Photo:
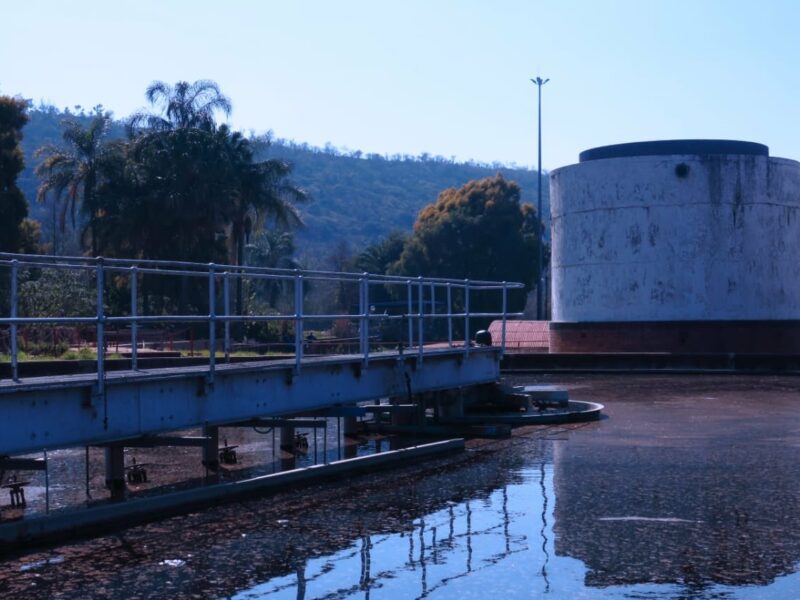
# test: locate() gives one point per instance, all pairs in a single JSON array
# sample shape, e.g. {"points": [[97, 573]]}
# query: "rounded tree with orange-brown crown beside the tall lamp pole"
{"points": [[479, 231]]}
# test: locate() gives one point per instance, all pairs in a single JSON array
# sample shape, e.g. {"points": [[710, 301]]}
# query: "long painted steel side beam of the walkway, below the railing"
{"points": [[60, 411]]}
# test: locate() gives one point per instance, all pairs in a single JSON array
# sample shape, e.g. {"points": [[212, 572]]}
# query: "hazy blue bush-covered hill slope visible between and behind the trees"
{"points": [[357, 198]]}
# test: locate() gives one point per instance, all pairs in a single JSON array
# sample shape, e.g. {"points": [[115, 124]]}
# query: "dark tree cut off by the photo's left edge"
{"points": [[13, 206]]}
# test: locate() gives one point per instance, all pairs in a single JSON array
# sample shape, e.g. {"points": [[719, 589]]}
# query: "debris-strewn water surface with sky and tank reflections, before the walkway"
{"points": [[690, 489]]}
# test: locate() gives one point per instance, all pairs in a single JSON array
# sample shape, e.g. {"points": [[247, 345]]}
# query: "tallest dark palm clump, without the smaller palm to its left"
{"points": [[191, 189]]}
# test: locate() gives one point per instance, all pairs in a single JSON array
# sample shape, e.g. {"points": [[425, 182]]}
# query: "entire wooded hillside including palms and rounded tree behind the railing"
{"points": [[174, 183]]}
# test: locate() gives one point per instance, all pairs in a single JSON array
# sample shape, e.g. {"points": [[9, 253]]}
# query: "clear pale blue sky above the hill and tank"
{"points": [[444, 77]]}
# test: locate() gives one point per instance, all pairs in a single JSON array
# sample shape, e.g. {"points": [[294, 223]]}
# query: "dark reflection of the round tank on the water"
{"points": [[668, 504]]}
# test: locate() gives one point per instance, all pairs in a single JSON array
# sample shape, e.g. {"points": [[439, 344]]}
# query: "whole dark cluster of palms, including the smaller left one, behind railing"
{"points": [[179, 187]]}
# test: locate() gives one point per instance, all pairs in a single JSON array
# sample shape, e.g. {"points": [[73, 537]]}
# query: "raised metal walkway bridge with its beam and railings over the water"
{"points": [[111, 406]]}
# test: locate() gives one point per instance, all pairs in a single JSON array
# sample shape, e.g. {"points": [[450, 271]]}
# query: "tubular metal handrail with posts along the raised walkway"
{"points": [[416, 290]]}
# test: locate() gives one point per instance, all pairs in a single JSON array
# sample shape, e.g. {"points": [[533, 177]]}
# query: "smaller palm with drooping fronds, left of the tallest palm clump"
{"points": [[71, 172]]}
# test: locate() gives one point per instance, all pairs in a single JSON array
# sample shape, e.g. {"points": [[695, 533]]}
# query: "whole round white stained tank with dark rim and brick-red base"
{"points": [[680, 245]]}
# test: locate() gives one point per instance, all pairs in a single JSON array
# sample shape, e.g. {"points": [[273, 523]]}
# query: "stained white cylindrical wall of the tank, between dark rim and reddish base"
{"points": [[676, 238]]}
